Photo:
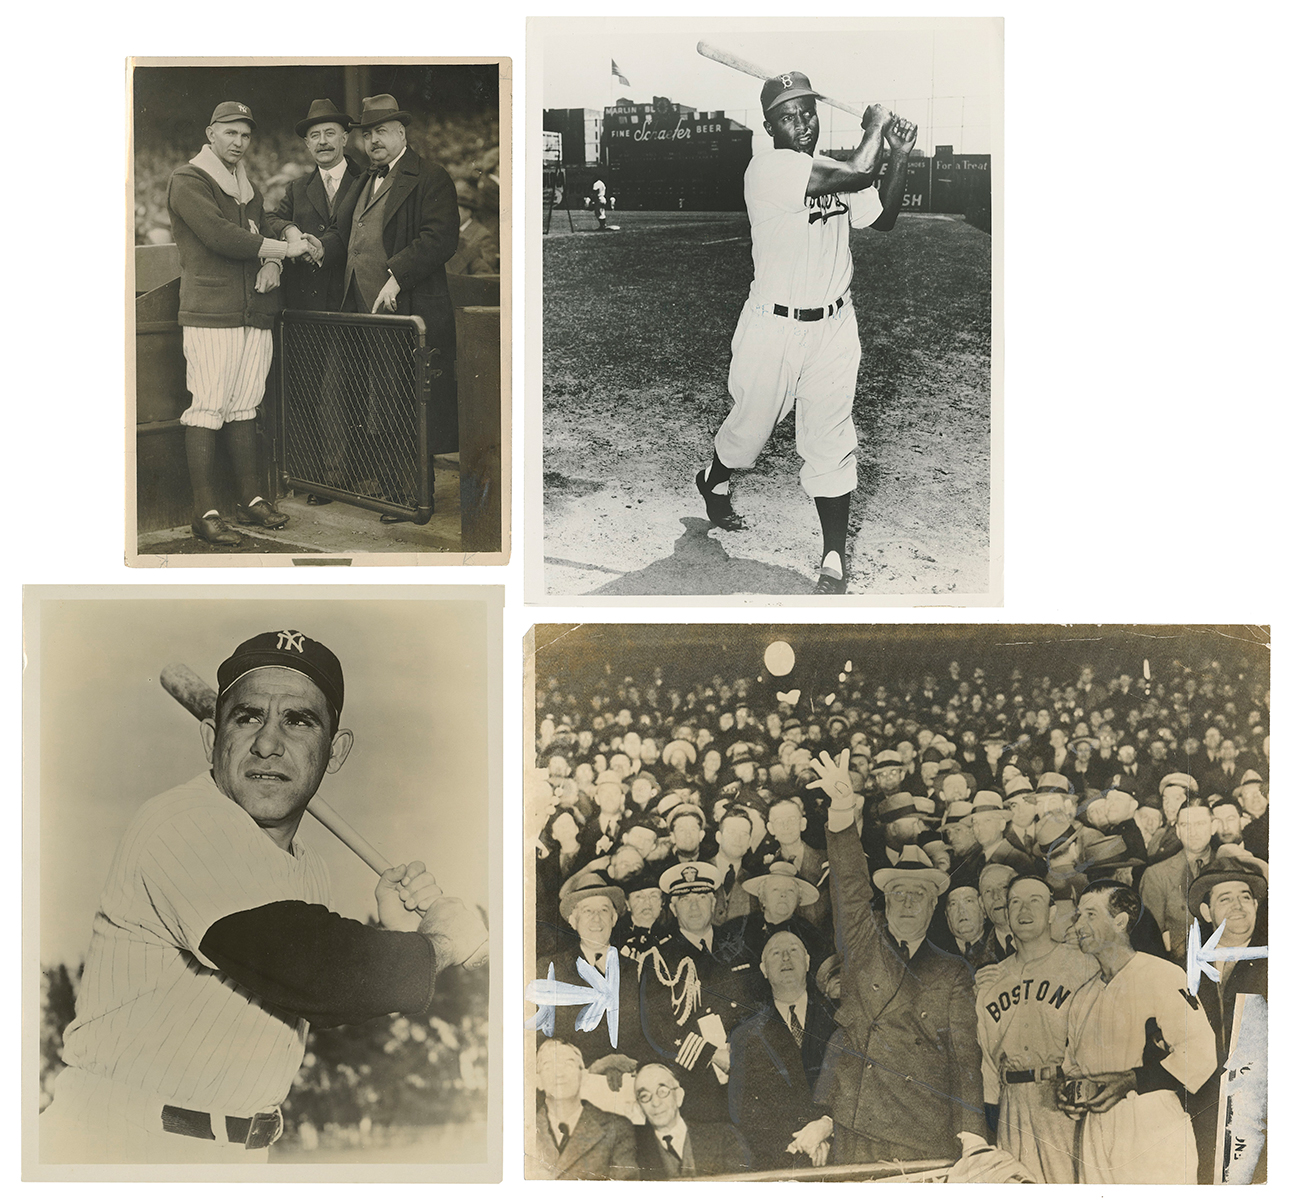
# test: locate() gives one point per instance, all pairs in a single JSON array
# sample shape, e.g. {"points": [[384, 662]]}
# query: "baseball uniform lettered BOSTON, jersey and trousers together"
{"points": [[1023, 1026]]}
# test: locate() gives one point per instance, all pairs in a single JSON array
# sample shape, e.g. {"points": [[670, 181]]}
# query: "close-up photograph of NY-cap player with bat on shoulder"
{"points": [[266, 880]]}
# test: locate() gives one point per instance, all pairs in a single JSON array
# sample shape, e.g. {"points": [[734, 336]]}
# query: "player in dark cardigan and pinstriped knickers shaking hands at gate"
{"points": [[228, 302]]}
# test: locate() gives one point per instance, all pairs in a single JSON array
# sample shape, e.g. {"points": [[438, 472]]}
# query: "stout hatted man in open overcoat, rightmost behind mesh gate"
{"points": [[400, 228]]}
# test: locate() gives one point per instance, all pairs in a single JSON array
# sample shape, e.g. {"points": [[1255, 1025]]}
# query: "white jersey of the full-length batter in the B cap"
{"points": [[803, 256]]}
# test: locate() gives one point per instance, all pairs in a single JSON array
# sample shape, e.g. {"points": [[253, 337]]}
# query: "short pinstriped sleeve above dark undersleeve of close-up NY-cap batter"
{"points": [[205, 864]]}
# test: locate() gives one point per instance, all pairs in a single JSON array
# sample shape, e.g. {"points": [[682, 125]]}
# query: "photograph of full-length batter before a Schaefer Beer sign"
{"points": [[732, 395]]}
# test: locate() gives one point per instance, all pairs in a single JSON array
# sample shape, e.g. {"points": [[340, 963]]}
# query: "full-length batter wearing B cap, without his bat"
{"points": [[797, 342]]}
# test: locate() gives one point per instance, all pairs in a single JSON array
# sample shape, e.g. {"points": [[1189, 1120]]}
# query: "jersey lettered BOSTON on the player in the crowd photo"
{"points": [[1023, 1016]]}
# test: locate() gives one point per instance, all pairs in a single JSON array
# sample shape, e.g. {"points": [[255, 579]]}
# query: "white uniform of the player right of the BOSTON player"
{"points": [[1143, 1139]]}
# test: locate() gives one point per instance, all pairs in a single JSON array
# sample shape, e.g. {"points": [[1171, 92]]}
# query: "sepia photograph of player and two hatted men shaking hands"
{"points": [[321, 274]]}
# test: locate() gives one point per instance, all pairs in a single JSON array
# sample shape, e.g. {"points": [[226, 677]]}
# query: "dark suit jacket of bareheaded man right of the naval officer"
{"points": [[773, 1082]]}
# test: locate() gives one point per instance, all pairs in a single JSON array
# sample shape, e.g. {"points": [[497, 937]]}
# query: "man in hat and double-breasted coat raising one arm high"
{"points": [[905, 1074]]}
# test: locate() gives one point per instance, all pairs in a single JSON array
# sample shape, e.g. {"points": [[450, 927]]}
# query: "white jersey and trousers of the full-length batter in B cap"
{"points": [[803, 263]]}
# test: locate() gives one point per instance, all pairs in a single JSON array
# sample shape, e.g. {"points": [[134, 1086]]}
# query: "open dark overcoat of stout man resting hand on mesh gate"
{"points": [[419, 236]]}
